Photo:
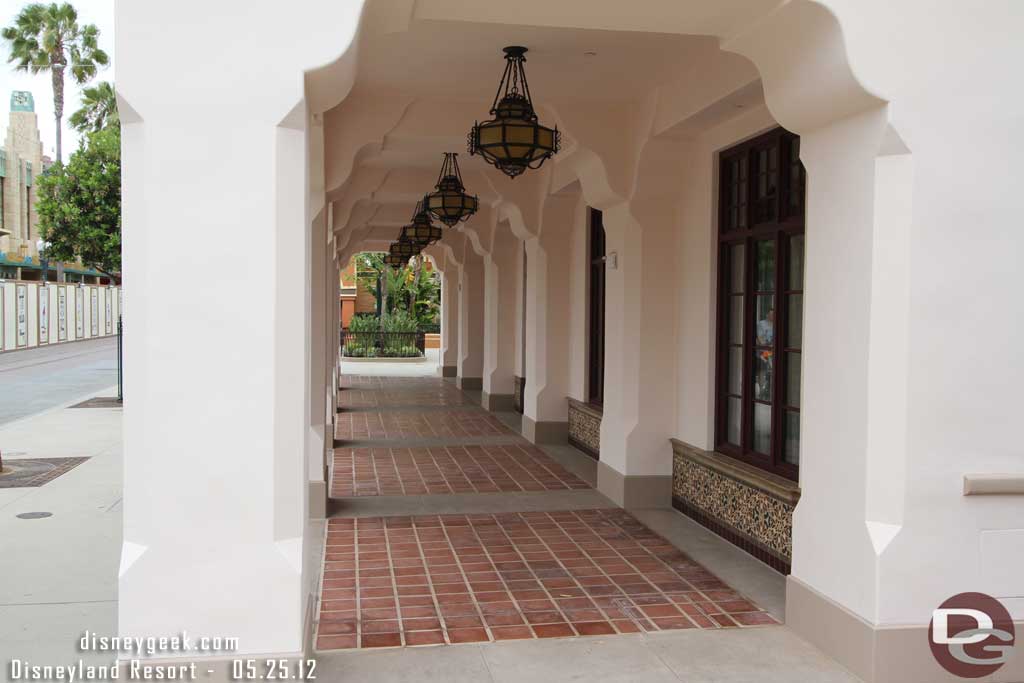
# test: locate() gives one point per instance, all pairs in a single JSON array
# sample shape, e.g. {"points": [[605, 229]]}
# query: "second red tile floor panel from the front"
{"points": [[453, 469]]}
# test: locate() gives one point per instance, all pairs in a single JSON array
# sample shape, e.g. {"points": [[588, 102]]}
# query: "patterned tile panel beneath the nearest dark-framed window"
{"points": [[749, 507]]}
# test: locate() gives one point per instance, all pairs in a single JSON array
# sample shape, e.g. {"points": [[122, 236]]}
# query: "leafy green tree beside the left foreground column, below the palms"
{"points": [[80, 204]]}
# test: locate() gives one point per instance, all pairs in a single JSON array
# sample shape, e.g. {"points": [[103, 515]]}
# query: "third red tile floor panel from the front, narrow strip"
{"points": [[414, 425]]}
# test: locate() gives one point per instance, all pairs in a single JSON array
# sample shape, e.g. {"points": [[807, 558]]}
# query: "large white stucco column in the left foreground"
{"points": [[217, 433]]}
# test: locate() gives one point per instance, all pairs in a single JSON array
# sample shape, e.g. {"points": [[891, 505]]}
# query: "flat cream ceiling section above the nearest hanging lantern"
{"points": [[464, 60]]}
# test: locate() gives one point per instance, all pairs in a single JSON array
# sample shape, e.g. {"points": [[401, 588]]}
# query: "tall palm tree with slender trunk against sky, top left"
{"points": [[49, 38]]}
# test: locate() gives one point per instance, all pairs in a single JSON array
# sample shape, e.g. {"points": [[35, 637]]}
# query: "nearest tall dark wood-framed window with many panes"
{"points": [[750, 214]]}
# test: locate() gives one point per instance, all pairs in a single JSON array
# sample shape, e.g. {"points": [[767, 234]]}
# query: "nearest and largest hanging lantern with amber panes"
{"points": [[514, 141]]}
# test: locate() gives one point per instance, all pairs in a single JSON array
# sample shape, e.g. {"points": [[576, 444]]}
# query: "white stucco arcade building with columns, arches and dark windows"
{"points": [[797, 322]]}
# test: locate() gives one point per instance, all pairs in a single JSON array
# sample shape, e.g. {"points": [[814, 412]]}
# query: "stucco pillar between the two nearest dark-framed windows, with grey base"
{"points": [[635, 469]]}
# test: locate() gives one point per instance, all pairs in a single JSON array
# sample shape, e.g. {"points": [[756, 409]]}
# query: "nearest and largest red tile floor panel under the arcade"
{"points": [[454, 579]]}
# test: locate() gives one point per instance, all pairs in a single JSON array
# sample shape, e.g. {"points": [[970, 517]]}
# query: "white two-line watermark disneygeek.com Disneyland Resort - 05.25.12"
{"points": [[144, 660]]}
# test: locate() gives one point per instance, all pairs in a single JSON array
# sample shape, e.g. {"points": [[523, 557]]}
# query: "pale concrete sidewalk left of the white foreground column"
{"points": [[59, 575]]}
